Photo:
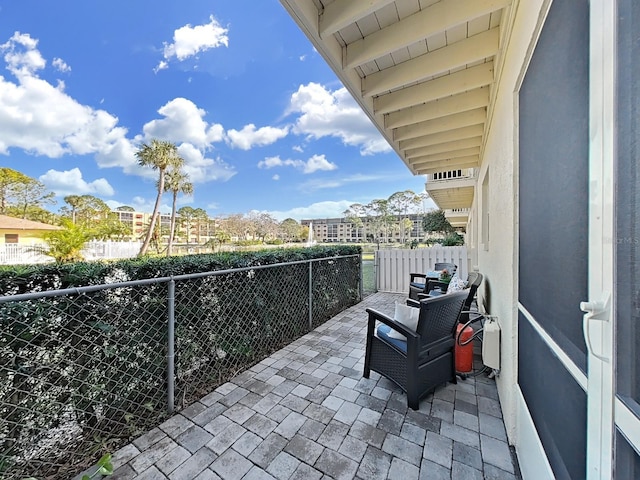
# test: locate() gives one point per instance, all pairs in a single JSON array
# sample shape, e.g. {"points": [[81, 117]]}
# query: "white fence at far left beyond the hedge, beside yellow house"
{"points": [[17, 253]]}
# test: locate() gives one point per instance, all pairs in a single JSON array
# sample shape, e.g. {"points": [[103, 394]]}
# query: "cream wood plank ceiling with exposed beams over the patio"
{"points": [[422, 70]]}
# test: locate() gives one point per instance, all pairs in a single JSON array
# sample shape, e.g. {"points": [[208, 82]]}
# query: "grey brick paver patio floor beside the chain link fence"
{"points": [[307, 413]]}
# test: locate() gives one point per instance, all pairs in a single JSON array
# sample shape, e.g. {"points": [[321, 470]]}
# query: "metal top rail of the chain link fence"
{"points": [[150, 281]]}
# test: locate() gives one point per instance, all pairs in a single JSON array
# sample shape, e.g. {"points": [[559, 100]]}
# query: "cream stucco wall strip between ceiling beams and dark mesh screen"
{"points": [[498, 259]]}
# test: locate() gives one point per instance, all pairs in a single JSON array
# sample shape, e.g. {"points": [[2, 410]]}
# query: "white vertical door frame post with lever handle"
{"points": [[598, 322]]}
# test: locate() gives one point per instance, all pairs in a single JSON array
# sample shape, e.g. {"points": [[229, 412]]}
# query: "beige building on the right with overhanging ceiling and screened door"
{"points": [[523, 115]]}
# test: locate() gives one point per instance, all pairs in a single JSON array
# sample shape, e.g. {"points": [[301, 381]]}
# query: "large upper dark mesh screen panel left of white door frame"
{"points": [[554, 173]]}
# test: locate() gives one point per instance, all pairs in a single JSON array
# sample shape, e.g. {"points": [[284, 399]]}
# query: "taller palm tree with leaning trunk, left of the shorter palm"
{"points": [[159, 155]]}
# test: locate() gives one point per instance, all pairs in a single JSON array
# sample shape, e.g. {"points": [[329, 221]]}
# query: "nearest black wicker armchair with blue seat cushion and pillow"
{"points": [[426, 359]]}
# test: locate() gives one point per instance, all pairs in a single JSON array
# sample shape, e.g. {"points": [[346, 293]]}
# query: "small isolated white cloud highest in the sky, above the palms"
{"points": [[189, 41]]}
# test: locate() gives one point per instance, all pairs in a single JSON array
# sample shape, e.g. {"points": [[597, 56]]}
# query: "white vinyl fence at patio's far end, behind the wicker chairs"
{"points": [[394, 266]]}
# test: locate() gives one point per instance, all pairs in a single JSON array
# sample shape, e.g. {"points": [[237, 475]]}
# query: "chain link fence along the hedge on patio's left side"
{"points": [[85, 370]]}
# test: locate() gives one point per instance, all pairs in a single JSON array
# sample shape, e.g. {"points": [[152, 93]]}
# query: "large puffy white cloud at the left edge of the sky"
{"points": [[42, 119]]}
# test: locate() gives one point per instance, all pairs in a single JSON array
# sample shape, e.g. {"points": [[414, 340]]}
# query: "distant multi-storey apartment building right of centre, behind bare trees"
{"points": [[343, 230]]}
